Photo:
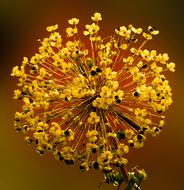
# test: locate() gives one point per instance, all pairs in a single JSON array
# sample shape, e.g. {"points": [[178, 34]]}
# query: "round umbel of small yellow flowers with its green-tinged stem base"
{"points": [[90, 102]]}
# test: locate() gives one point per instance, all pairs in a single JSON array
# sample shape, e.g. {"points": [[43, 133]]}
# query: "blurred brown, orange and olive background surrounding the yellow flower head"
{"points": [[22, 22]]}
